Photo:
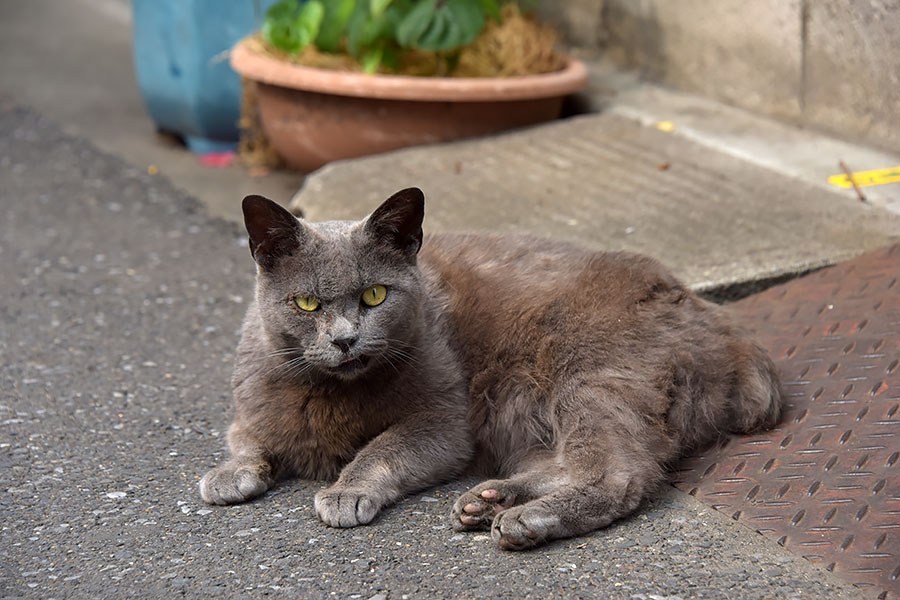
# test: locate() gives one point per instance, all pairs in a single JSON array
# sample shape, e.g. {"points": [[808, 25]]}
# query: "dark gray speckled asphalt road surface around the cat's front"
{"points": [[121, 307]]}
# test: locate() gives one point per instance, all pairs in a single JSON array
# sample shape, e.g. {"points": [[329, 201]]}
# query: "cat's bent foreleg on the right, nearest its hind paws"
{"points": [[408, 456]]}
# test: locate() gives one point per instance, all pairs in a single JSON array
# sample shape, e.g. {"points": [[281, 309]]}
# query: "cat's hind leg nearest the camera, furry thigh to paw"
{"points": [[606, 475]]}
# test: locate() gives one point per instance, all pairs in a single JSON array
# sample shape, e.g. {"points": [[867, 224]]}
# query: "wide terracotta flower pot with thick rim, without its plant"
{"points": [[314, 116]]}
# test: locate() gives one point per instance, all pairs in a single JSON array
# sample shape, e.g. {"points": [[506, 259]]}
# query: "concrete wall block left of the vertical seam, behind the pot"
{"points": [[744, 53]]}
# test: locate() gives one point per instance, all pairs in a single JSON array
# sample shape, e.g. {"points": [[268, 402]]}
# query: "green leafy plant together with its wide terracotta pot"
{"points": [[343, 78]]}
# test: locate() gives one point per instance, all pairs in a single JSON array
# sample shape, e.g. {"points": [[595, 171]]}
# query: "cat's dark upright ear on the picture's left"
{"points": [[273, 231]]}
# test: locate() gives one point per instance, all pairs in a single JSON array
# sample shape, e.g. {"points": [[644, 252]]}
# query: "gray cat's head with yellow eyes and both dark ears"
{"points": [[340, 298]]}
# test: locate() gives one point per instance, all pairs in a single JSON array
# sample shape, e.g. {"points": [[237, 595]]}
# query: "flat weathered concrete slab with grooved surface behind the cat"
{"points": [[614, 182]]}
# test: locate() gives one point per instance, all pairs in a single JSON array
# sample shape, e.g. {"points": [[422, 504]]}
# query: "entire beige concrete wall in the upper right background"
{"points": [[832, 65]]}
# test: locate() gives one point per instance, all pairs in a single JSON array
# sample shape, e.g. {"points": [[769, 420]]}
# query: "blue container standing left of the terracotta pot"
{"points": [[182, 67]]}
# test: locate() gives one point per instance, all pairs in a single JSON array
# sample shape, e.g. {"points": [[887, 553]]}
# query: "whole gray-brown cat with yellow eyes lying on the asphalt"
{"points": [[573, 377]]}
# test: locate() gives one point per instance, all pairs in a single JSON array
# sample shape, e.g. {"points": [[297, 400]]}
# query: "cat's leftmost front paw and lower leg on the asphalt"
{"points": [[246, 475]]}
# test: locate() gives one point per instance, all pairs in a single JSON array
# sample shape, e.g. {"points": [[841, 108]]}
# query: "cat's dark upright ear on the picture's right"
{"points": [[399, 220]]}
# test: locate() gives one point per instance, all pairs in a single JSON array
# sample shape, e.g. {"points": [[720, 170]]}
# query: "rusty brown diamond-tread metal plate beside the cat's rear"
{"points": [[825, 484]]}
